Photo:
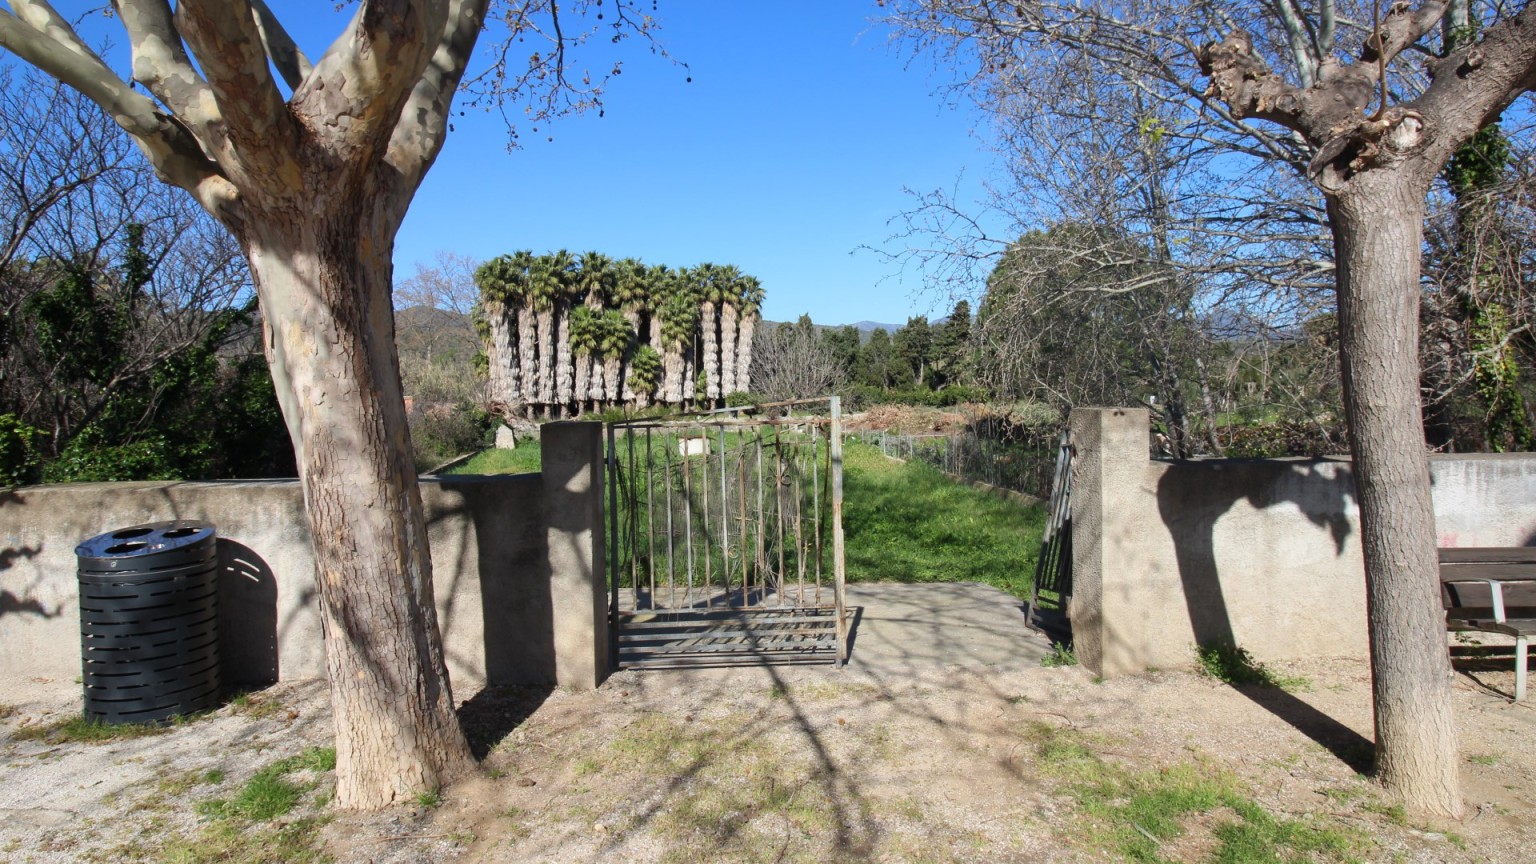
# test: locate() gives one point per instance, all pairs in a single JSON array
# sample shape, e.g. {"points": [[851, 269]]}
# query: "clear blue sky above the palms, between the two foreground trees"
{"points": [[786, 155]]}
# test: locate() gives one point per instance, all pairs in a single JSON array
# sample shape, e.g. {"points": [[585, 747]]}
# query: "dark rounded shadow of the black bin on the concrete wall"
{"points": [[248, 617]]}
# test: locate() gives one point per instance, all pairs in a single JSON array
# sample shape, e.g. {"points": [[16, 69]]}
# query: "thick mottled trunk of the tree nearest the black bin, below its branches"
{"points": [[325, 290]]}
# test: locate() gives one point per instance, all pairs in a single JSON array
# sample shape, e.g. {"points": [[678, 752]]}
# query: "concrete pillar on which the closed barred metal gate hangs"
{"points": [[574, 517]]}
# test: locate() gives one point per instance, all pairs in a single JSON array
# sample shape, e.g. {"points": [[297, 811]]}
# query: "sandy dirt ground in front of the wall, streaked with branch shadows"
{"points": [[936, 745]]}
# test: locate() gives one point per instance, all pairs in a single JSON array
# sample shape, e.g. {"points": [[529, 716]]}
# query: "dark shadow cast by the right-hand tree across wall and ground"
{"points": [[1193, 497]]}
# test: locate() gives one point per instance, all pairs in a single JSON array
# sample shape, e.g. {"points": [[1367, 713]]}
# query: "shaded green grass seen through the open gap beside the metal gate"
{"points": [[910, 523]]}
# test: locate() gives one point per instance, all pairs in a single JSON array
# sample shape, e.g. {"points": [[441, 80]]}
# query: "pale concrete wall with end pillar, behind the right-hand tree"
{"points": [[1262, 553]]}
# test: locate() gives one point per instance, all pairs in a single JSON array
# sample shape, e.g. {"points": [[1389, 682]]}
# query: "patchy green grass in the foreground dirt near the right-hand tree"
{"points": [[1137, 812]]}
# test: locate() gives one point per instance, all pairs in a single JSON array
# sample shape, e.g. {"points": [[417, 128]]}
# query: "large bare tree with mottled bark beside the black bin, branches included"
{"points": [[314, 188]]}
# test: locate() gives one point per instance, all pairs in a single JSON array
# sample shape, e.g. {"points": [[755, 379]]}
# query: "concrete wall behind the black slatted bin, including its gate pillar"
{"points": [[503, 619]]}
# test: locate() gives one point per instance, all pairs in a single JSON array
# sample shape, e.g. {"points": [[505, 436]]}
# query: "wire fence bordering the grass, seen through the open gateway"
{"points": [[1021, 467]]}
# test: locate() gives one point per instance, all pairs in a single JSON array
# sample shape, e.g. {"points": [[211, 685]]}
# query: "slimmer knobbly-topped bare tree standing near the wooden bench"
{"points": [[1372, 136]]}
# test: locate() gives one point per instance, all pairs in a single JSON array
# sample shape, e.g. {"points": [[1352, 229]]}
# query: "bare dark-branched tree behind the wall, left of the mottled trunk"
{"points": [[76, 199]]}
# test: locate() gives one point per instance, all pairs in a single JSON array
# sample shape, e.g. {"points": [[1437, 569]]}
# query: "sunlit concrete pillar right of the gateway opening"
{"points": [[1108, 507]]}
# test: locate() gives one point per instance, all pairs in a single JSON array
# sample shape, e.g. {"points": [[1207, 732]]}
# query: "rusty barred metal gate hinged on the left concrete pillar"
{"points": [[726, 537]]}
